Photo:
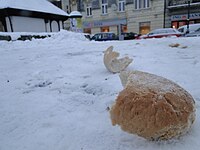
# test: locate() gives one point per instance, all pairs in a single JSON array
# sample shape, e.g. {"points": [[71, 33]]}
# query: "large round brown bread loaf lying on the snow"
{"points": [[152, 107]]}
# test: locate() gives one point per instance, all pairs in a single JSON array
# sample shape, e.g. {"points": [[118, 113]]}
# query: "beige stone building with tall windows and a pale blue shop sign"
{"points": [[138, 16]]}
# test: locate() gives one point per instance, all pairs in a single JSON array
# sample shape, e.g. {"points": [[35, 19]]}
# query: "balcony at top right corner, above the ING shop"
{"points": [[182, 3]]}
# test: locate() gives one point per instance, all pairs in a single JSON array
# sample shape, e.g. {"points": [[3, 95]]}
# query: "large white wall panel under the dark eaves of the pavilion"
{"points": [[25, 24]]}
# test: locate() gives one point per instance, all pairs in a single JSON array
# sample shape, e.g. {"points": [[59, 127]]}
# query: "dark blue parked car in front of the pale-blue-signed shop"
{"points": [[104, 36]]}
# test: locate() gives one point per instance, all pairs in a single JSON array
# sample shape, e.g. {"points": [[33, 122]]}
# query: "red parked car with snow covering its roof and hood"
{"points": [[159, 33]]}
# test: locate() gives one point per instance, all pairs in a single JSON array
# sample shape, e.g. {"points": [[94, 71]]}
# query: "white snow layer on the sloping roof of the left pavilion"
{"points": [[33, 5]]}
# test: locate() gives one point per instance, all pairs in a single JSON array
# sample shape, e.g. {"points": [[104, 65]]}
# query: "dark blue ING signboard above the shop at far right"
{"points": [[185, 16]]}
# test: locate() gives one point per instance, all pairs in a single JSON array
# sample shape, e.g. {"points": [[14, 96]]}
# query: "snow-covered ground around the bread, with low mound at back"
{"points": [[55, 93]]}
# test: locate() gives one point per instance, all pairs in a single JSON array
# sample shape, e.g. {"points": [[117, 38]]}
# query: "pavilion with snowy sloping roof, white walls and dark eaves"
{"points": [[31, 16]]}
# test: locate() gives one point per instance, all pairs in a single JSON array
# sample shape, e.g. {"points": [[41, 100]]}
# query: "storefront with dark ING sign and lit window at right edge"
{"points": [[180, 20]]}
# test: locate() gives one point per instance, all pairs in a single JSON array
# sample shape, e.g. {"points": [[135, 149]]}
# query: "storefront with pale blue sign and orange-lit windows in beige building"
{"points": [[111, 25]]}
